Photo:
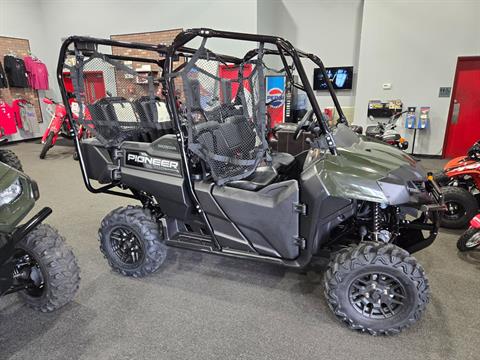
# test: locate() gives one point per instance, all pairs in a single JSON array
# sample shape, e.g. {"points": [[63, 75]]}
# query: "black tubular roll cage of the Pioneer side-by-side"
{"points": [[167, 56]]}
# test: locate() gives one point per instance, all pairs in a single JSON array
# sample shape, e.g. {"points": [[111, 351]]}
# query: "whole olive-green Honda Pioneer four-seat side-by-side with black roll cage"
{"points": [[182, 130]]}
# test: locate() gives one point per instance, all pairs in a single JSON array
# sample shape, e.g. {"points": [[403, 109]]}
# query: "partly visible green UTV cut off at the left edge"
{"points": [[34, 260]]}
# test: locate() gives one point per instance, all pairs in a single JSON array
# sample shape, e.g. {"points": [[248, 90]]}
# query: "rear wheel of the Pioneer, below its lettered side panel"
{"points": [[132, 241]]}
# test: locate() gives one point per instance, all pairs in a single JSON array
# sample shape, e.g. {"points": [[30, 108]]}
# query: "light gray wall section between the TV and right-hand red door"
{"points": [[414, 45]]}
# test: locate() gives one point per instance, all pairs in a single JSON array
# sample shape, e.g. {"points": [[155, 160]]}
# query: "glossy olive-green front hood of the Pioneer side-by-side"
{"points": [[368, 170]]}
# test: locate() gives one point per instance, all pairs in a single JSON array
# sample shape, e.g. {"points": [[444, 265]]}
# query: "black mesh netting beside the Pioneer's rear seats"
{"points": [[118, 100]]}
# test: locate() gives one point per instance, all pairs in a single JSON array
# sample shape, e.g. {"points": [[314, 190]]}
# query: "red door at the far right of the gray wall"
{"points": [[463, 127]]}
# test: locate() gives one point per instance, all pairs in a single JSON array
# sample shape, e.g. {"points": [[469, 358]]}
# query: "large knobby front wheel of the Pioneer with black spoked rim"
{"points": [[376, 288]]}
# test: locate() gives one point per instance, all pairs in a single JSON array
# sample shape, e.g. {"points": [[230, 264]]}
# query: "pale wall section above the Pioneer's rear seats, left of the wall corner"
{"points": [[102, 18]]}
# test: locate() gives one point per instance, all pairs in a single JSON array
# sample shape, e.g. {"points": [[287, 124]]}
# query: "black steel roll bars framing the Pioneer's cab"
{"points": [[178, 48]]}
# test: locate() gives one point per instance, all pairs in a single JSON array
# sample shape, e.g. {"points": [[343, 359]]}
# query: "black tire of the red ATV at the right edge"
{"points": [[461, 207]]}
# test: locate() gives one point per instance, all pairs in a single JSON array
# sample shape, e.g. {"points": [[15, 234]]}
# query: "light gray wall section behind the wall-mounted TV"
{"points": [[330, 29]]}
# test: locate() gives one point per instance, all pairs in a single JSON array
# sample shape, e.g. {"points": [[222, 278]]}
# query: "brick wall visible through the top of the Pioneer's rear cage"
{"points": [[164, 37]]}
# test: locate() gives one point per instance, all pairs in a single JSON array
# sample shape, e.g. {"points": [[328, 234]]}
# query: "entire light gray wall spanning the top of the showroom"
{"points": [[411, 44]]}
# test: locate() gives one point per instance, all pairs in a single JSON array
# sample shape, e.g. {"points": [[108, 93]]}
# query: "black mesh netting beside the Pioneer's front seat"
{"points": [[225, 114]]}
